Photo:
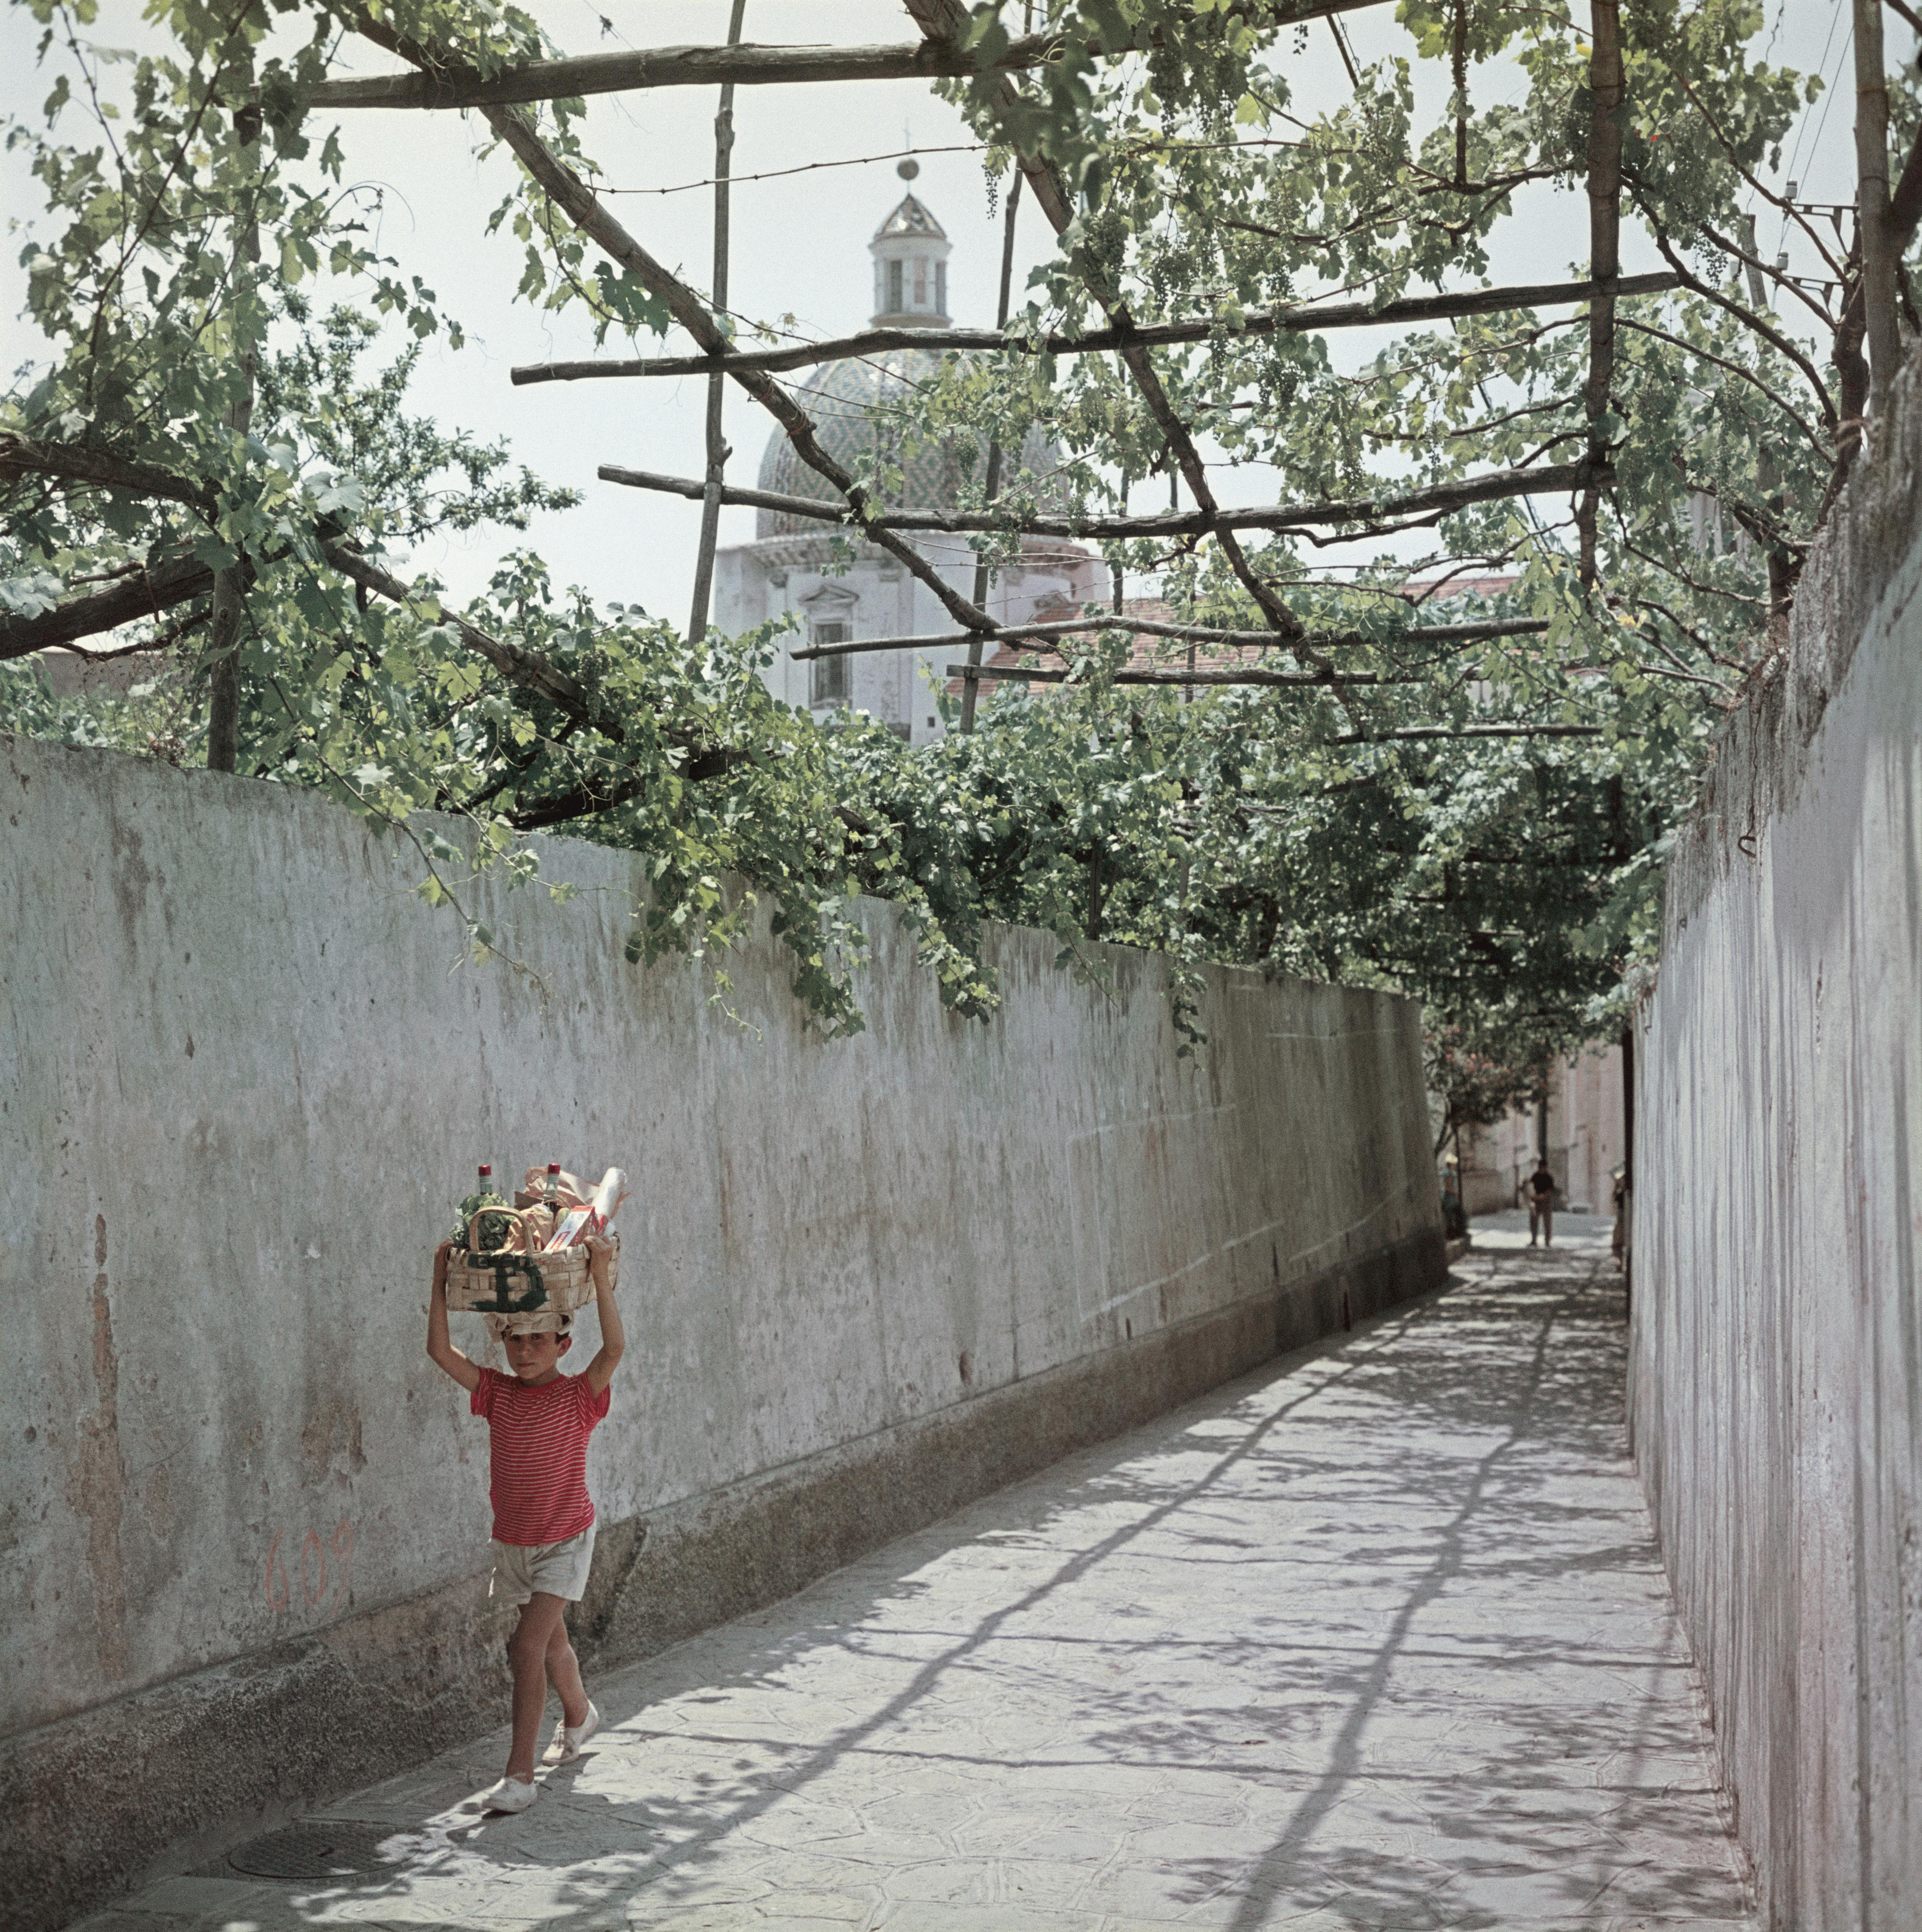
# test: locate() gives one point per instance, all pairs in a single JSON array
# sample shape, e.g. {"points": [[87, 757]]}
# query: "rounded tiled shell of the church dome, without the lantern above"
{"points": [[849, 403]]}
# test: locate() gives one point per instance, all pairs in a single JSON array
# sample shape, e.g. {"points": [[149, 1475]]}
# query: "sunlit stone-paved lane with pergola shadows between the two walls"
{"points": [[1372, 1639]]}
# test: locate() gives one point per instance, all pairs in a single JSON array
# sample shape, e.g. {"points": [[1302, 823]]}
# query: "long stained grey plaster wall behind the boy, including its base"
{"points": [[244, 1521]]}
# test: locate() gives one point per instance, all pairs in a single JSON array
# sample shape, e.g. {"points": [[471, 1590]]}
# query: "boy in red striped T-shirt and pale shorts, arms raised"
{"points": [[544, 1521]]}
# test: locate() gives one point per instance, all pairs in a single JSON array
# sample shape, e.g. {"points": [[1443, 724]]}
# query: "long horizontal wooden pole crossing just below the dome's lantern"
{"points": [[1305, 320]]}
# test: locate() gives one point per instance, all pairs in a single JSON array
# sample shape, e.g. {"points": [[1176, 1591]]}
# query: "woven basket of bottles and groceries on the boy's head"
{"points": [[532, 1255]]}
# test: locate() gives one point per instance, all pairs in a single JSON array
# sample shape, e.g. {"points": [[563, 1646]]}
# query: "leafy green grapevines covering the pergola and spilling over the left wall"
{"points": [[1513, 884]]}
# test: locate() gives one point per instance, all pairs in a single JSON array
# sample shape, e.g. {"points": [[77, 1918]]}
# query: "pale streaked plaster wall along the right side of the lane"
{"points": [[1776, 1388]]}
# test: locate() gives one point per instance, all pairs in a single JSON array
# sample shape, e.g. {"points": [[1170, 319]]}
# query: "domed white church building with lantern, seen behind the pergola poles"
{"points": [[839, 590]]}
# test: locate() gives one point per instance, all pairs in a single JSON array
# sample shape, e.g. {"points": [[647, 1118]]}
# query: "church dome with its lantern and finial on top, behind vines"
{"points": [[857, 401]]}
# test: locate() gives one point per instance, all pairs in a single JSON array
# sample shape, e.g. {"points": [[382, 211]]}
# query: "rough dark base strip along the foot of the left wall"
{"points": [[188, 1769]]}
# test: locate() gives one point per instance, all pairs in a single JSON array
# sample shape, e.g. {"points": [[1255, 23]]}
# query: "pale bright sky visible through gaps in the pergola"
{"points": [[801, 242]]}
